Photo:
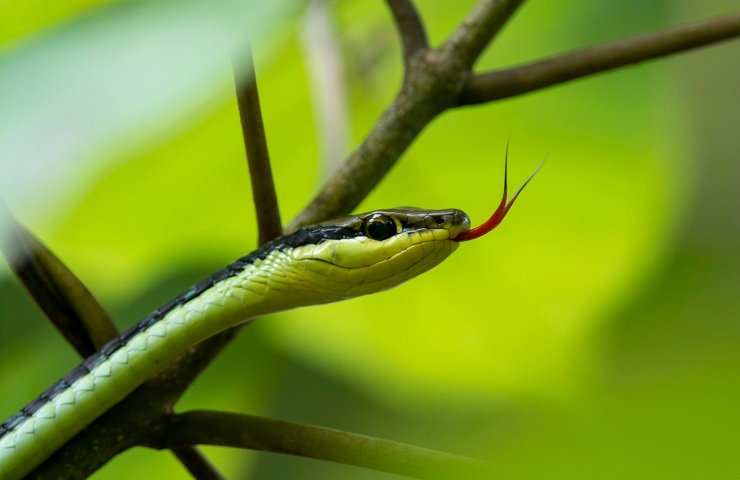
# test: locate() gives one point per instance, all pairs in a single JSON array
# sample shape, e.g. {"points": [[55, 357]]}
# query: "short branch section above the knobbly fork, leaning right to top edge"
{"points": [[478, 30]]}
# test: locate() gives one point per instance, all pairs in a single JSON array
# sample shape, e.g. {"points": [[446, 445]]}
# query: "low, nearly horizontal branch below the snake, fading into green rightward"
{"points": [[259, 433]]}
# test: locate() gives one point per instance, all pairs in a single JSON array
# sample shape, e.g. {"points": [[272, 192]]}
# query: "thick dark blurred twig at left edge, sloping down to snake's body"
{"points": [[65, 300]]}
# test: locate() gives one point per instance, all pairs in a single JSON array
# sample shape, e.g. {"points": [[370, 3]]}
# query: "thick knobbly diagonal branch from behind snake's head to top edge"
{"points": [[433, 83]]}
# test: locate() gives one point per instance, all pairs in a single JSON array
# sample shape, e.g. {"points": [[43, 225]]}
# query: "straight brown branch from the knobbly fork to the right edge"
{"points": [[588, 61]]}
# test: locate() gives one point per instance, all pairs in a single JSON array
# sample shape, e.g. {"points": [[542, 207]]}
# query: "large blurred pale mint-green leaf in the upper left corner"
{"points": [[119, 78]]}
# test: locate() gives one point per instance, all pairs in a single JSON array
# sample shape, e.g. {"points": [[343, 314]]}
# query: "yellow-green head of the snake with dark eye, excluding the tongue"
{"points": [[374, 251]]}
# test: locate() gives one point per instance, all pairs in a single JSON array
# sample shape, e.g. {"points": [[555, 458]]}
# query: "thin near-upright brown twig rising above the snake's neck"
{"points": [[258, 158]]}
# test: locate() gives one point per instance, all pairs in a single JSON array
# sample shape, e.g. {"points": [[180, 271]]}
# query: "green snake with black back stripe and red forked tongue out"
{"points": [[327, 262]]}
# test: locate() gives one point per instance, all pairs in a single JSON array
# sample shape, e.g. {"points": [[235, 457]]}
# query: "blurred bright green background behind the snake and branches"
{"points": [[596, 334]]}
